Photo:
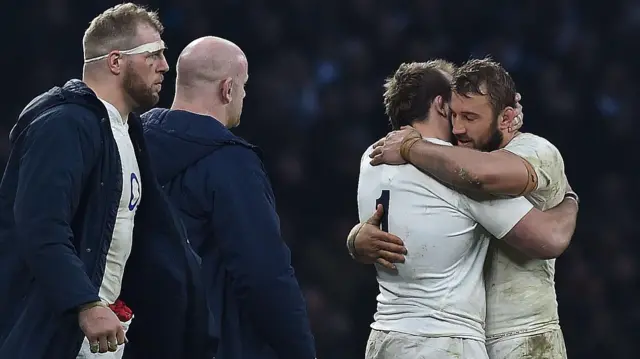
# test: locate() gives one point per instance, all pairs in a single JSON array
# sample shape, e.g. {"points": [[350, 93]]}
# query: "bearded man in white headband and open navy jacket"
{"points": [[77, 179]]}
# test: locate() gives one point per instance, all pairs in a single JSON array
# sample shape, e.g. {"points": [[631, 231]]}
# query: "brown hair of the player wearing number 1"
{"points": [[411, 90]]}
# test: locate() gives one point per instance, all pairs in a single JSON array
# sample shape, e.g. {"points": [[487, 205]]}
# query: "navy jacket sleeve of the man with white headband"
{"points": [[55, 152]]}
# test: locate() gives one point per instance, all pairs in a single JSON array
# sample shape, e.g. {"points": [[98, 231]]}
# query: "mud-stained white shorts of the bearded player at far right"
{"points": [[549, 345]]}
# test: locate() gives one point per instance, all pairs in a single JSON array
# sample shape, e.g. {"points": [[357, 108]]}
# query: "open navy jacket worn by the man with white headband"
{"points": [[58, 203]]}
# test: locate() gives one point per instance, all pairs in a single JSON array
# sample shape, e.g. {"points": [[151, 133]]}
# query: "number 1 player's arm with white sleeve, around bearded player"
{"points": [[537, 234]]}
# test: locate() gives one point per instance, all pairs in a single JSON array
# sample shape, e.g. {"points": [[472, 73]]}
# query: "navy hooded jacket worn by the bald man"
{"points": [[218, 183]]}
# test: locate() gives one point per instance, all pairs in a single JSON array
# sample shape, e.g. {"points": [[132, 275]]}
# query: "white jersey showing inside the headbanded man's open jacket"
{"points": [[120, 247]]}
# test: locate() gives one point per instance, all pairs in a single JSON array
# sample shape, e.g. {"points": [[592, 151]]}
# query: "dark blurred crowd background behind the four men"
{"points": [[314, 105]]}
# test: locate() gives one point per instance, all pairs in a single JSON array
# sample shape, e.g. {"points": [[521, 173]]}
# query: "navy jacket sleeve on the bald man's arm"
{"points": [[247, 228]]}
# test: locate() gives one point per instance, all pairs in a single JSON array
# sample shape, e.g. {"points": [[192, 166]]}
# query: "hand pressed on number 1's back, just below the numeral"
{"points": [[375, 246]]}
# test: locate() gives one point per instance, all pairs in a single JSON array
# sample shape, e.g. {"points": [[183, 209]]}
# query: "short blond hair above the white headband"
{"points": [[116, 29]]}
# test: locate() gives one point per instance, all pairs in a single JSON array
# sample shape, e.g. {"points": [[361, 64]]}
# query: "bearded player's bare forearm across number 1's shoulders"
{"points": [[497, 172]]}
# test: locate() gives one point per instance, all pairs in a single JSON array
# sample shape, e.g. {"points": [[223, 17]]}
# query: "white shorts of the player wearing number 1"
{"points": [[394, 345]]}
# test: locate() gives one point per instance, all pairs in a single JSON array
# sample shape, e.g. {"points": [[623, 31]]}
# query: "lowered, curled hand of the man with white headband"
{"points": [[102, 328]]}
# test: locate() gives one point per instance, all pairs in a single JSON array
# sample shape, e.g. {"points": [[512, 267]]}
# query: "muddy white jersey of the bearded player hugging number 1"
{"points": [[521, 296]]}
